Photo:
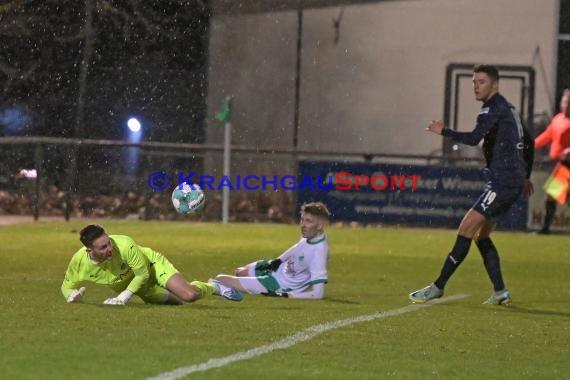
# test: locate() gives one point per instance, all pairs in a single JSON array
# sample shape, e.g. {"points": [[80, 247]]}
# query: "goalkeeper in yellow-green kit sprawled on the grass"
{"points": [[130, 269]]}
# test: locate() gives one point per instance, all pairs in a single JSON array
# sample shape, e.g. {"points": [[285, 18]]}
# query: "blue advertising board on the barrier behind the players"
{"points": [[399, 194]]}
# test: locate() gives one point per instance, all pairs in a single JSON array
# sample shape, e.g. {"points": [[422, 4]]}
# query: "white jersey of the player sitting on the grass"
{"points": [[304, 264]]}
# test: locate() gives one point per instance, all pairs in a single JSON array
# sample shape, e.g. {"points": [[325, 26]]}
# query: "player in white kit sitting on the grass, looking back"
{"points": [[300, 272]]}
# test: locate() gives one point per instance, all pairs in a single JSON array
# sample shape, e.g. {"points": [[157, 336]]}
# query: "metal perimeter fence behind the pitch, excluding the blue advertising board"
{"points": [[109, 178]]}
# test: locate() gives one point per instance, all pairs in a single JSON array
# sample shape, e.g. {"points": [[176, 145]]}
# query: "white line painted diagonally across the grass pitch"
{"points": [[301, 336]]}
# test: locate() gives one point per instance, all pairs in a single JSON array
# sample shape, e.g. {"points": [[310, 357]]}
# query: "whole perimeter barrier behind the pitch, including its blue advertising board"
{"points": [[111, 178]]}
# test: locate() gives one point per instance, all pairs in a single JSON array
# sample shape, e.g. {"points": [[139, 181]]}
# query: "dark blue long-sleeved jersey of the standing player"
{"points": [[499, 125]]}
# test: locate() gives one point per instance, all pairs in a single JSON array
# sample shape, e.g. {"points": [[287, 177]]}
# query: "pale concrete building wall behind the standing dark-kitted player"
{"points": [[374, 90]]}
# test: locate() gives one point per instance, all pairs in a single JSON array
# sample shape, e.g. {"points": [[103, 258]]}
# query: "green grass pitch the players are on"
{"points": [[370, 270]]}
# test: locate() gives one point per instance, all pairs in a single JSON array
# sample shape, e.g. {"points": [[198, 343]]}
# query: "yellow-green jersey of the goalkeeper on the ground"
{"points": [[131, 267]]}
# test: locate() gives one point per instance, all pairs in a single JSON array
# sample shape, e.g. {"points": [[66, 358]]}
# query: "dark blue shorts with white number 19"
{"points": [[496, 200]]}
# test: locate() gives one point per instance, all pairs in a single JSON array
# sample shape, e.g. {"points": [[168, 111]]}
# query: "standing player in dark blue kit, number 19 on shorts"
{"points": [[508, 152]]}
